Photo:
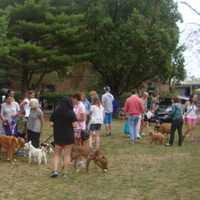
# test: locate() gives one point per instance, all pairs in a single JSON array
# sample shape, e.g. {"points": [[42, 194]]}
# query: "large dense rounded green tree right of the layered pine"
{"points": [[132, 41]]}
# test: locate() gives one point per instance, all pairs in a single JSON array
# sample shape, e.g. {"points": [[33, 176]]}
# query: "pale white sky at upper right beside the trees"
{"points": [[192, 56]]}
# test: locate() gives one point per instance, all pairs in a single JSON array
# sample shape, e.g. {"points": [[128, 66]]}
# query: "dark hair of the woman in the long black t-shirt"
{"points": [[64, 106]]}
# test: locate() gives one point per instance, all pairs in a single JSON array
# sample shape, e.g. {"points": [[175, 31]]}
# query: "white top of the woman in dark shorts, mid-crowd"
{"points": [[97, 114]]}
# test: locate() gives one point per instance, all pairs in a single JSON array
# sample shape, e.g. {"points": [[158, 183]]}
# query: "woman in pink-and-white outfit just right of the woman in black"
{"points": [[81, 116]]}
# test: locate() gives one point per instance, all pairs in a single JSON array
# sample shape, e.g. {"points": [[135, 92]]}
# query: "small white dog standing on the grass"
{"points": [[36, 154]]}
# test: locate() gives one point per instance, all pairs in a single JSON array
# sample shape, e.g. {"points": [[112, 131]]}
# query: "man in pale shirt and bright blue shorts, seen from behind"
{"points": [[107, 102]]}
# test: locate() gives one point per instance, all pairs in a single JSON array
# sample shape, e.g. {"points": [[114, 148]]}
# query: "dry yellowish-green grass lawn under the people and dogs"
{"points": [[141, 171]]}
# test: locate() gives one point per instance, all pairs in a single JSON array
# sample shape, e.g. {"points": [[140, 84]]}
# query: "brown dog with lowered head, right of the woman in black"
{"points": [[83, 155]]}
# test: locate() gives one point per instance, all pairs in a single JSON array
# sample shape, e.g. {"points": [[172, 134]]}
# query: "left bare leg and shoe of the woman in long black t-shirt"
{"points": [[56, 160]]}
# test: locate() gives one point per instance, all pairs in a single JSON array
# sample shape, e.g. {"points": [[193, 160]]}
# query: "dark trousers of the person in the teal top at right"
{"points": [[176, 124]]}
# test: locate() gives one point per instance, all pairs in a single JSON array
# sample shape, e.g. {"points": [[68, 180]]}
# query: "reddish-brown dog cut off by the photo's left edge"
{"points": [[9, 145]]}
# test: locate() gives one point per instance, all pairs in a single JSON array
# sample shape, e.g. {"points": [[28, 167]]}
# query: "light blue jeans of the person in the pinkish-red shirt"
{"points": [[132, 124]]}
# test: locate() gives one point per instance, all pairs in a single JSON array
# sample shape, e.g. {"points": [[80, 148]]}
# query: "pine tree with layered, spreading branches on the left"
{"points": [[40, 41]]}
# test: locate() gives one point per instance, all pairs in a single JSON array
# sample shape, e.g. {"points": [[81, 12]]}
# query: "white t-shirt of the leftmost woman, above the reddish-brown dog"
{"points": [[9, 110]]}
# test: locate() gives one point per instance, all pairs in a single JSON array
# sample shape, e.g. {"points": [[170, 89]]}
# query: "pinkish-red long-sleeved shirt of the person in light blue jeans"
{"points": [[134, 105]]}
